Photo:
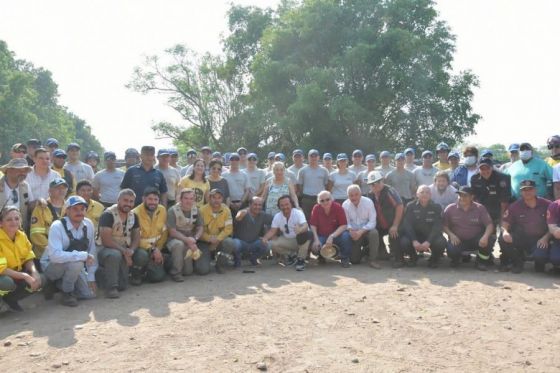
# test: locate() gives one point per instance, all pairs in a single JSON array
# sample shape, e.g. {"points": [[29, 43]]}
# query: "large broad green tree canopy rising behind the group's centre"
{"points": [[326, 74]]}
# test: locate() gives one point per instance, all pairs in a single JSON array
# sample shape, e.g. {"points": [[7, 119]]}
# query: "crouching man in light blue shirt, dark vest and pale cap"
{"points": [[70, 245]]}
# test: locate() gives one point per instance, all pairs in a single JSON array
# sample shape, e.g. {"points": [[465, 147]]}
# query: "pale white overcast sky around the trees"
{"points": [[92, 48]]}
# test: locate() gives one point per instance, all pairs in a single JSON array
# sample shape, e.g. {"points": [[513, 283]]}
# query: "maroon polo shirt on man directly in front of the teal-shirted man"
{"points": [[526, 220]]}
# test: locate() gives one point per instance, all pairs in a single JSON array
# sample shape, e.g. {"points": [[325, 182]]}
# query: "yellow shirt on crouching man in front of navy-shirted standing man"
{"points": [[153, 228]]}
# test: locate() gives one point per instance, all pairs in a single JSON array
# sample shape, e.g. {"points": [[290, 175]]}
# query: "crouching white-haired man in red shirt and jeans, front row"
{"points": [[328, 224]]}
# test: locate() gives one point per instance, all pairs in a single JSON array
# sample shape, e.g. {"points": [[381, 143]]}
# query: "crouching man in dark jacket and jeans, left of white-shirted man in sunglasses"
{"points": [[250, 224]]}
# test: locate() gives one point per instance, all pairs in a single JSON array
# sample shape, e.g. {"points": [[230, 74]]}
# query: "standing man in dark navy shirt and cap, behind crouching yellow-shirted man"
{"points": [[144, 175]]}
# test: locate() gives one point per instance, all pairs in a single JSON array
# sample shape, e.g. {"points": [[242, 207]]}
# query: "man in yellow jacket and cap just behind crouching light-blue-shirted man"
{"points": [[44, 215]]}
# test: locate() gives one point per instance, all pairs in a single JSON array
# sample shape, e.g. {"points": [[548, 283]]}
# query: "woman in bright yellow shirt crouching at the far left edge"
{"points": [[18, 275]]}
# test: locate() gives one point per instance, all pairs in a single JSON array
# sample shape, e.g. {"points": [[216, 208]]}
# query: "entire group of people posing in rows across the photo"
{"points": [[67, 227]]}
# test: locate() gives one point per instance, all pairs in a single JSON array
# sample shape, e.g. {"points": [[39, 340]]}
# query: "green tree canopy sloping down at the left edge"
{"points": [[29, 107]]}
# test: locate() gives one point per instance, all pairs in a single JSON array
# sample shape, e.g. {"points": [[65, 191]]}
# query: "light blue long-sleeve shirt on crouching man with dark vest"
{"points": [[59, 241]]}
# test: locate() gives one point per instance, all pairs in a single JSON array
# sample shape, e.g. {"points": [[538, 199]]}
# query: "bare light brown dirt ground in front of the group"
{"points": [[325, 319]]}
